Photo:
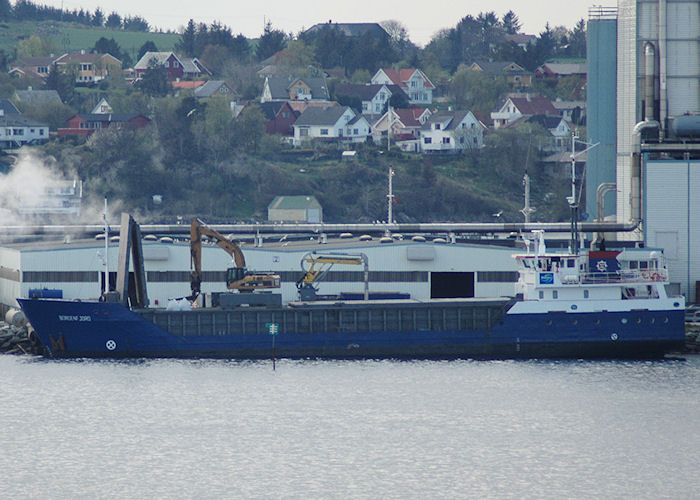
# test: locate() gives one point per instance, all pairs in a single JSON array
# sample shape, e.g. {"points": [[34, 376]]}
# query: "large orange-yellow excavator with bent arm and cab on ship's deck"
{"points": [[237, 276]]}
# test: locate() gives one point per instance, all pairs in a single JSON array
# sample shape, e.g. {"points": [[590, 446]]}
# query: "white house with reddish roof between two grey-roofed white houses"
{"points": [[405, 126]]}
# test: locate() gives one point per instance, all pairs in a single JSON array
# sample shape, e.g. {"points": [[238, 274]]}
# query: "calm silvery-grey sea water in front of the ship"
{"points": [[371, 429]]}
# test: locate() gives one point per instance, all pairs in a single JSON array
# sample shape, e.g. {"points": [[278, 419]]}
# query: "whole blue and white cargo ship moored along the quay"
{"points": [[593, 304]]}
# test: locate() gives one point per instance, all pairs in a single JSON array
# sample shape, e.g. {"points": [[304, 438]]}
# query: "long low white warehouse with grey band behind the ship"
{"points": [[421, 269]]}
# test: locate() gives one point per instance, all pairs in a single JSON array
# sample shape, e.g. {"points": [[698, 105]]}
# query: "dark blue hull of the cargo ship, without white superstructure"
{"points": [[110, 330]]}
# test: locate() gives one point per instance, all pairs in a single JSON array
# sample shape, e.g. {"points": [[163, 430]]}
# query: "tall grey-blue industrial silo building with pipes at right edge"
{"points": [[653, 79]]}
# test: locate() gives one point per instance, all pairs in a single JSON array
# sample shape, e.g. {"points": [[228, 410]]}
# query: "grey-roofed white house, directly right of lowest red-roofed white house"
{"points": [[452, 131]]}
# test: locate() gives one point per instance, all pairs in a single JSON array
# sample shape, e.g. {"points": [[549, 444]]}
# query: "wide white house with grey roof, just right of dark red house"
{"points": [[338, 123]]}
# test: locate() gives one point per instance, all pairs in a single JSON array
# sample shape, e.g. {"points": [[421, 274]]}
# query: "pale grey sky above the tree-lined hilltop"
{"points": [[422, 19]]}
